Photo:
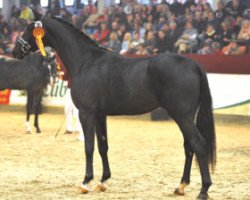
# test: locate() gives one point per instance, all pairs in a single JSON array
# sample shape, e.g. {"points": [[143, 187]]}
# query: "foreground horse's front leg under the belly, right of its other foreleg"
{"points": [[101, 132]]}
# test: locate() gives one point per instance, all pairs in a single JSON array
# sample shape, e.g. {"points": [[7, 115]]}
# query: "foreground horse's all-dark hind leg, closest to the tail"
{"points": [[197, 144]]}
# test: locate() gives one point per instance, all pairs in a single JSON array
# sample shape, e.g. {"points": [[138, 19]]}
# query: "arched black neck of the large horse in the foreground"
{"points": [[69, 45]]}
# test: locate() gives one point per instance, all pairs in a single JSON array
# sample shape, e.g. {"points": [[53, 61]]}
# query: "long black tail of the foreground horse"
{"points": [[205, 119]]}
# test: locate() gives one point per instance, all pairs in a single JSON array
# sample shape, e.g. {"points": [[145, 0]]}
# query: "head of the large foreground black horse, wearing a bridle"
{"points": [[27, 42]]}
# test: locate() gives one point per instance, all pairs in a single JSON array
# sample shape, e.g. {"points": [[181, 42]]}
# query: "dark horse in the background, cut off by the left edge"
{"points": [[31, 74]]}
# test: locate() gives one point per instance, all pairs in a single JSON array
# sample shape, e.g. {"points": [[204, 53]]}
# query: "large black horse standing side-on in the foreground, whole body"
{"points": [[105, 83]]}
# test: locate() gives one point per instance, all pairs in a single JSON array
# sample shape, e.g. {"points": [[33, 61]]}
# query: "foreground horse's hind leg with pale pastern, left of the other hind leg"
{"points": [[185, 180]]}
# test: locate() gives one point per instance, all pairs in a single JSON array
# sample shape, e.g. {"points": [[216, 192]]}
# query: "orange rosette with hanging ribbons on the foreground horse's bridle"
{"points": [[38, 33]]}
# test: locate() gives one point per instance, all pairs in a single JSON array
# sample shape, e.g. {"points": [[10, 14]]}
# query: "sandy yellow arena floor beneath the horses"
{"points": [[146, 160]]}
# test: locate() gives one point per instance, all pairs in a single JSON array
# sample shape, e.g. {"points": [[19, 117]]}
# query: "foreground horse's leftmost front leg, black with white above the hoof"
{"points": [[87, 121]]}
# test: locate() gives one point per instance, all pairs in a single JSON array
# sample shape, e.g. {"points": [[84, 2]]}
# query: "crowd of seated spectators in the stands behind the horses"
{"points": [[133, 28]]}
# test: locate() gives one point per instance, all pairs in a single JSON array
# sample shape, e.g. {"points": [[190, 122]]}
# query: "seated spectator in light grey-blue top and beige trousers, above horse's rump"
{"points": [[187, 41]]}
